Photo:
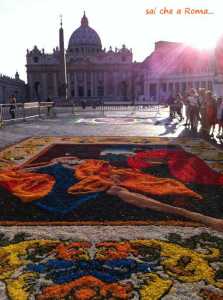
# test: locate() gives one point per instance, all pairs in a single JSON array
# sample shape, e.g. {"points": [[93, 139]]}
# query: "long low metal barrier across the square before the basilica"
{"points": [[90, 108]]}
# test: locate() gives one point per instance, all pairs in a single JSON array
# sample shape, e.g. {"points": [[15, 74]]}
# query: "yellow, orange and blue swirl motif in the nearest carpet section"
{"points": [[79, 270]]}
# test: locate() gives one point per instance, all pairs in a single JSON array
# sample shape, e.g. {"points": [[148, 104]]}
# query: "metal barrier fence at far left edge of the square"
{"points": [[23, 111]]}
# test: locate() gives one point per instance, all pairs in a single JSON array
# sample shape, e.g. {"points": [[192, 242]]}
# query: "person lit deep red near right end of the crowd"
{"points": [[211, 113]]}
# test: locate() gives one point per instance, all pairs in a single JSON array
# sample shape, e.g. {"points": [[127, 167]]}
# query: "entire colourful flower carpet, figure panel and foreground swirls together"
{"points": [[64, 236]]}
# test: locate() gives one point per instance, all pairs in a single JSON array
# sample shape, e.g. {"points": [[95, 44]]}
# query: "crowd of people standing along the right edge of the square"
{"points": [[200, 109]]}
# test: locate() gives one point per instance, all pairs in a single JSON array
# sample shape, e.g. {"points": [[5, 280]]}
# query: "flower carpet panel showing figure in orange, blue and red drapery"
{"points": [[66, 179]]}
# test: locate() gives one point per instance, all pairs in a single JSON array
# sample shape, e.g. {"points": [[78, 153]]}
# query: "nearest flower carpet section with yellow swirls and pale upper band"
{"points": [[89, 263]]}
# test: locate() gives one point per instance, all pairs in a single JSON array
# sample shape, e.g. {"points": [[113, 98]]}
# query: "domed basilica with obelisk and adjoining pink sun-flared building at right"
{"points": [[86, 70]]}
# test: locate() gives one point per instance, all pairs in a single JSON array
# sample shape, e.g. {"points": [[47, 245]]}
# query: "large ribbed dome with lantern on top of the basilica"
{"points": [[84, 38]]}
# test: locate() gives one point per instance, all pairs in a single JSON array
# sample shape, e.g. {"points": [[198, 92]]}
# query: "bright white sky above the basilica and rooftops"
{"points": [[25, 23]]}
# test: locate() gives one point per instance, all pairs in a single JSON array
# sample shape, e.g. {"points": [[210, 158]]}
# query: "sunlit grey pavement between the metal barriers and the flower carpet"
{"points": [[95, 124]]}
